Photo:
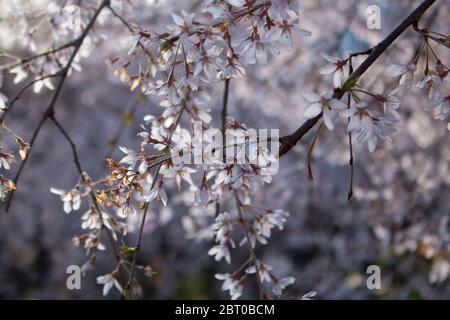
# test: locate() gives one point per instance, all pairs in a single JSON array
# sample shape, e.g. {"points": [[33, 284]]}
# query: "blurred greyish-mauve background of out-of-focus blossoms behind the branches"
{"points": [[397, 219]]}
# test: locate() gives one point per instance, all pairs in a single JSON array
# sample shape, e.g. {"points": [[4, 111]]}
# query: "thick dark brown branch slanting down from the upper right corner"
{"points": [[289, 141]]}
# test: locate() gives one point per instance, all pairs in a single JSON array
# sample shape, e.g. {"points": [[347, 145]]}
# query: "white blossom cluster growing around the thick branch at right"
{"points": [[365, 120]]}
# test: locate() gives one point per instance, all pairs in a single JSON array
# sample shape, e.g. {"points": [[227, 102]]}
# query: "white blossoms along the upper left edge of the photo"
{"points": [[62, 23]]}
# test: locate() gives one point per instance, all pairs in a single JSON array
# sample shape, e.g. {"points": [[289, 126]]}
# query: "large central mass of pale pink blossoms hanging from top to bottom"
{"points": [[180, 66]]}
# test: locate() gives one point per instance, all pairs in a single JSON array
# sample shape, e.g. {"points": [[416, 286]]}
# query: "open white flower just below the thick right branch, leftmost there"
{"points": [[324, 104]]}
